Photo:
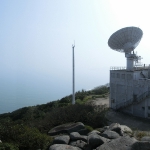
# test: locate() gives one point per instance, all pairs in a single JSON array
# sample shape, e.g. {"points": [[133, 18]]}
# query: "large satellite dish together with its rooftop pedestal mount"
{"points": [[126, 40]]}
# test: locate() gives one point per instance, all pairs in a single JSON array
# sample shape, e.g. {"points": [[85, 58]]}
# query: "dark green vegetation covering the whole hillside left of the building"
{"points": [[27, 128]]}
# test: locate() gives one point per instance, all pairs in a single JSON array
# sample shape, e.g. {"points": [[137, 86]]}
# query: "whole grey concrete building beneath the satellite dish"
{"points": [[130, 90]]}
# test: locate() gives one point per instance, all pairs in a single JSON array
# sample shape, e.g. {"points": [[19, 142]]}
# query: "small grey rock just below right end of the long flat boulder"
{"points": [[76, 136]]}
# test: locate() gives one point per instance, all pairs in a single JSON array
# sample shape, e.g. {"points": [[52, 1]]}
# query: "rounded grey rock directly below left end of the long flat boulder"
{"points": [[64, 139]]}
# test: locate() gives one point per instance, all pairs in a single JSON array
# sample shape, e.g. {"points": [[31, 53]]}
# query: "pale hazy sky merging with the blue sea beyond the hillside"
{"points": [[36, 38]]}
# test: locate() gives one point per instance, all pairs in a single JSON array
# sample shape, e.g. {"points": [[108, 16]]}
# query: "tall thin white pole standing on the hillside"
{"points": [[73, 78]]}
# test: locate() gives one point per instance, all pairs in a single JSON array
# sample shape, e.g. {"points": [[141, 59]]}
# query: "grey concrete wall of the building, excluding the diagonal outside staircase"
{"points": [[124, 84]]}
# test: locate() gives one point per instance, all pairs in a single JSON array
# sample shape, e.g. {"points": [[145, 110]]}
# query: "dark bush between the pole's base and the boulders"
{"points": [[90, 115]]}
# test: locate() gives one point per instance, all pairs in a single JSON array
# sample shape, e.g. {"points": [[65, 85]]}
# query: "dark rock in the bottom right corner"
{"points": [[141, 145]]}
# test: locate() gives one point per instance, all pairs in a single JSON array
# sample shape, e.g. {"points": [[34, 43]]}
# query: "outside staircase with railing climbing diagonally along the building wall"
{"points": [[133, 101]]}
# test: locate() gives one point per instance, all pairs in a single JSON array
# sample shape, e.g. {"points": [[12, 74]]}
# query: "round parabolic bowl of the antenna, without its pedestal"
{"points": [[126, 39]]}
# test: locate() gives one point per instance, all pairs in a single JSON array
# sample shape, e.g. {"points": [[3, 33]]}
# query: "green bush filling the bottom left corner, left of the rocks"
{"points": [[25, 137]]}
